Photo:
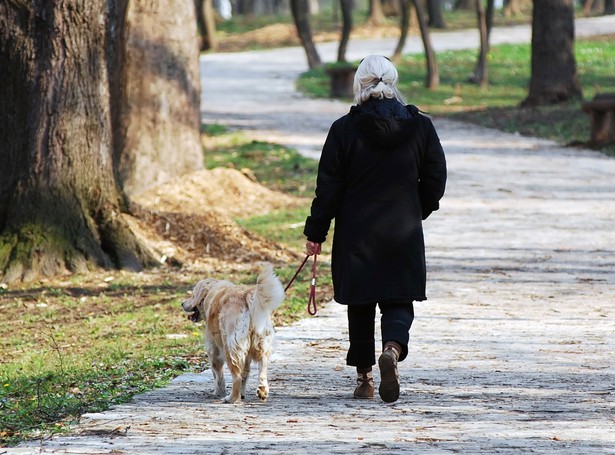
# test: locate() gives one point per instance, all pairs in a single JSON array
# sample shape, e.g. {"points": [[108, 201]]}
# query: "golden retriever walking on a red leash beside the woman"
{"points": [[238, 328]]}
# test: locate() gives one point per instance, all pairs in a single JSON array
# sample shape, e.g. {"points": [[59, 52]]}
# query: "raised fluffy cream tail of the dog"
{"points": [[269, 295]]}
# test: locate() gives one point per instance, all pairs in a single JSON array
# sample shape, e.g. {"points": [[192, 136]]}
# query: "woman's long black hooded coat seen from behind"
{"points": [[382, 171]]}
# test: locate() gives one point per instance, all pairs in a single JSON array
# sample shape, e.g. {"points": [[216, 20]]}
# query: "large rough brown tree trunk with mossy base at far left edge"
{"points": [[64, 89]]}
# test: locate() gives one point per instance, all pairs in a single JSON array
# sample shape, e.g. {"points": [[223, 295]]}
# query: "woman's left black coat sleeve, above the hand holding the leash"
{"points": [[329, 189]]}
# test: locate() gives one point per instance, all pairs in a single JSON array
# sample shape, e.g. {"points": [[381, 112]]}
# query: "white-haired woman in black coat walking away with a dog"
{"points": [[382, 171]]}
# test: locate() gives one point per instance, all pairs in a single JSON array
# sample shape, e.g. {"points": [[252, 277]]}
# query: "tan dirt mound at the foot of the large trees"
{"points": [[191, 219]]}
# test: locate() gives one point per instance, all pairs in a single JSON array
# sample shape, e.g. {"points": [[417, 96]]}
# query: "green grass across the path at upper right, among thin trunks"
{"points": [[498, 105]]}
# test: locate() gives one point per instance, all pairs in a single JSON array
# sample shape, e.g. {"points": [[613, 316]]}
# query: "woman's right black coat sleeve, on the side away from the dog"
{"points": [[432, 175]]}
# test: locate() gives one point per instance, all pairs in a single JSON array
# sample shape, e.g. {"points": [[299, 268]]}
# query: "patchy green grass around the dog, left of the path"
{"points": [[84, 343]]}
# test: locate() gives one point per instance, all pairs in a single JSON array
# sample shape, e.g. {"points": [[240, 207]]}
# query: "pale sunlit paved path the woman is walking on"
{"points": [[512, 353]]}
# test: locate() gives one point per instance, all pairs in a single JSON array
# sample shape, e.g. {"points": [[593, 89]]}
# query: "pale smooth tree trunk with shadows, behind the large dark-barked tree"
{"points": [[161, 106]]}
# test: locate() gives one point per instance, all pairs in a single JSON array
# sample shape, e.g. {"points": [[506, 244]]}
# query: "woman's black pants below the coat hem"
{"points": [[395, 324]]}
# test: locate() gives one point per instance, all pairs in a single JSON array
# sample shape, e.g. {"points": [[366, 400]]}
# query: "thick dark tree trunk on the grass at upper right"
{"points": [[554, 76]]}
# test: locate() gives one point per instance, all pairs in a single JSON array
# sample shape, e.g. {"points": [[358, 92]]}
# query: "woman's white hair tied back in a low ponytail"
{"points": [[376, 77]]}
